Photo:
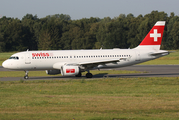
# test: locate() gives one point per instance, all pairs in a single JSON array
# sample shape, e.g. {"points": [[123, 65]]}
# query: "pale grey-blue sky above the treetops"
{"points": [[78, 9]]}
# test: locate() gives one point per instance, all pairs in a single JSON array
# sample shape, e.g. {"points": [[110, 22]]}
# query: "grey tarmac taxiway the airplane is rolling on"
{"points": [[148, 71]]}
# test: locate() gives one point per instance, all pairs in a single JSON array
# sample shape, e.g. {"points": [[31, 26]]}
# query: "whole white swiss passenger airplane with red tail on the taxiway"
{"points": [[74, 62]]}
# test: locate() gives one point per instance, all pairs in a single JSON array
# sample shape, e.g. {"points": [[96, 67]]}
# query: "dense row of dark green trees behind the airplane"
{"points": [[59, 32]]}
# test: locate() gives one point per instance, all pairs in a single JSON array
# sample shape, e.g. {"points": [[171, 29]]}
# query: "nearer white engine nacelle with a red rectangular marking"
{"points": [[69, 70]]}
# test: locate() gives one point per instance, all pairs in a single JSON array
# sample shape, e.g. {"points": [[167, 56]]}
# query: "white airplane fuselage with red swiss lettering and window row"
{"points": [[44, 60]]}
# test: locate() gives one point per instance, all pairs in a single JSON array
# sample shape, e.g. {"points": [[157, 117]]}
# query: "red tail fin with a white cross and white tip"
{"points": [[154, 37]]}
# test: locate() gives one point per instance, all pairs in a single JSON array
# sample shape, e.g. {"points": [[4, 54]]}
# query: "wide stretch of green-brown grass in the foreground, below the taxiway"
{"points": [[94, 99]]}
